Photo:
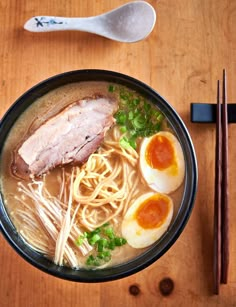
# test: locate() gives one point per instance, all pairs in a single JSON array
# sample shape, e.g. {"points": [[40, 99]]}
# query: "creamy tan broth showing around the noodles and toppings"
{"points": [[42, 109]]}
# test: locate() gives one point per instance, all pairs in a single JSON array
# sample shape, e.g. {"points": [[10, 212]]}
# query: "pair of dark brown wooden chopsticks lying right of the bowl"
{"points": [[221, 216]]}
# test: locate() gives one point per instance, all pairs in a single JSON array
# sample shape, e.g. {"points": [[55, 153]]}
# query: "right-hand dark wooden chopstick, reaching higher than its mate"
{"points": [[224, 205]]}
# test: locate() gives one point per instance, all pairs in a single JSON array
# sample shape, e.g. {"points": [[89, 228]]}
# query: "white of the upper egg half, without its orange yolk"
{"points": [[167, 180]]}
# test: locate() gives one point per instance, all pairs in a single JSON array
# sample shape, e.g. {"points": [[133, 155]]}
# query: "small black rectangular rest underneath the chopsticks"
{"points": [[206, 113]]}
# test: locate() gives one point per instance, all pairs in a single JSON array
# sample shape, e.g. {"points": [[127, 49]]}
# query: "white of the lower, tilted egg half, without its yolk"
{"points": [[137, 236]]}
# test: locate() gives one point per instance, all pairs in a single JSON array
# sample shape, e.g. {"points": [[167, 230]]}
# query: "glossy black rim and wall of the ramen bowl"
{"points": [[180, 220]]}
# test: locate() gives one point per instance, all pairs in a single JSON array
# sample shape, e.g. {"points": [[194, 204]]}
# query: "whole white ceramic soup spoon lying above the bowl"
{"points": [[128, 23]]}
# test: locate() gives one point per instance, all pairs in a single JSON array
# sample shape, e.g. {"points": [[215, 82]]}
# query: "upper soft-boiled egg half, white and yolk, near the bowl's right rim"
{"points": [[162, 162]]}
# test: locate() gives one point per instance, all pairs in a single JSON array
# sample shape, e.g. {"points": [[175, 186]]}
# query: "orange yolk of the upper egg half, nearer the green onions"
{"points": [[160, 153]]}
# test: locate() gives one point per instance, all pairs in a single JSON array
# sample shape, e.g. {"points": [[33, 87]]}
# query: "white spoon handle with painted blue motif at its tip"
{"points": [[51, 23]]}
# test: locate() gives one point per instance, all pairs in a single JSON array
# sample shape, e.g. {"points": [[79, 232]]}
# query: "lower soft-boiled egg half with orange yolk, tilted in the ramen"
{"points": [[147, 219]]}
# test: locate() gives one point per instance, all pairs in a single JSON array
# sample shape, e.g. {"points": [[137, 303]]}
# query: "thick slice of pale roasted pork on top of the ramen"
{"points": [[69, 137]]}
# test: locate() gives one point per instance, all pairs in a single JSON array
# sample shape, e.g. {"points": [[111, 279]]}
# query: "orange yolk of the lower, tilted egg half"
{"points": [[153, 211]]}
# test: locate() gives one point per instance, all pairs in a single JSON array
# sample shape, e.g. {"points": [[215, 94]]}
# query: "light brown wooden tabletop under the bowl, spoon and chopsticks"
{"points": [[193, 40]]}
